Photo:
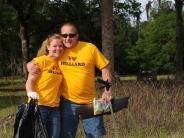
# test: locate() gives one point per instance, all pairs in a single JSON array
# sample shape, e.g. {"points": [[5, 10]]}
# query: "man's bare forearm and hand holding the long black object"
{"points": [[106, 75]]}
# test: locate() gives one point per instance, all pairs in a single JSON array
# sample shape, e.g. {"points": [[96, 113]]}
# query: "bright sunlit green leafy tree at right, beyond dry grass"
{"points": [[155, 48]]}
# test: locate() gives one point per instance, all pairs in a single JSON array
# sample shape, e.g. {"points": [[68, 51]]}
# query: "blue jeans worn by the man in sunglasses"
{"points": [[93, 127]]}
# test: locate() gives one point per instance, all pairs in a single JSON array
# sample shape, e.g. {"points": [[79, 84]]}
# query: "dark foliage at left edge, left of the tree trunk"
{"points": [[9, 43]]}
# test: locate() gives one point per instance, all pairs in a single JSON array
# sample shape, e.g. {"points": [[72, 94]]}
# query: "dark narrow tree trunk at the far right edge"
{"points": [[179, 40]]}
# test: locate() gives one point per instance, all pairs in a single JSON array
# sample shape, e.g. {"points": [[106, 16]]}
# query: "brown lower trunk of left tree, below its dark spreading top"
{"points": [[25, 45]]}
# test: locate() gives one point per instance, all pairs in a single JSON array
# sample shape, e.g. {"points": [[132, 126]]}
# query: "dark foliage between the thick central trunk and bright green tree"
{"points": [[125, 35]]}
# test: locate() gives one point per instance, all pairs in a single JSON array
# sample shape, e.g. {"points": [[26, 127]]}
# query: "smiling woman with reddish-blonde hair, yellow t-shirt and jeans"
{"points": [[45, 87]]}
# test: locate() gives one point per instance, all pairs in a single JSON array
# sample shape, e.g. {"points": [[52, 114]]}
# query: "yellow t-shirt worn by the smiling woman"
{"points": [[48, 84]]}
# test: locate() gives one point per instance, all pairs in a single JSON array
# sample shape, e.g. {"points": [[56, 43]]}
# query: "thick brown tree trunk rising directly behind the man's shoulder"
{"points": [[107, 31]]}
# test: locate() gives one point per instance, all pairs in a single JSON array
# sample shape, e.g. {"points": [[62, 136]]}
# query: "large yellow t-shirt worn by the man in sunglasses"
{"points": [[78, 68]]}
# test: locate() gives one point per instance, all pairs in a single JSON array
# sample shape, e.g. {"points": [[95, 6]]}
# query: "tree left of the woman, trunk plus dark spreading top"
{"points": [[24, 10]]}
